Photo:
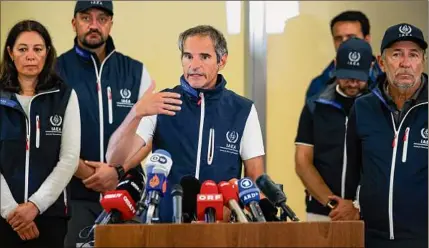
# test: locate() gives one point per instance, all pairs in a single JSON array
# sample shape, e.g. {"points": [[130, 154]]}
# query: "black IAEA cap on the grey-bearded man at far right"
{"points": [[401, 32]]}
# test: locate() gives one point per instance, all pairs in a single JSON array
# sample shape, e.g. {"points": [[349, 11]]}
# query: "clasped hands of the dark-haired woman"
{"points": [[22, 216]]}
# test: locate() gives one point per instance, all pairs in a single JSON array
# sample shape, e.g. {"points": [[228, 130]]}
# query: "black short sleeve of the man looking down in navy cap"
{"points": [[305, 128]]}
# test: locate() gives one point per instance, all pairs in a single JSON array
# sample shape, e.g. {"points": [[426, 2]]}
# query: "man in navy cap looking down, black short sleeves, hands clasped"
{"points": [[320, 157]]}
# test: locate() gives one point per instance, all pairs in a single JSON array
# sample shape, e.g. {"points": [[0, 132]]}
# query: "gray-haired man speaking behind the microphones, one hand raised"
{"points": [[215, 130]]}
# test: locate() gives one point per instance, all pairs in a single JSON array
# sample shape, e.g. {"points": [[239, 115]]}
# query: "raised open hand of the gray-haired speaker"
{"points": [[152, 103]]}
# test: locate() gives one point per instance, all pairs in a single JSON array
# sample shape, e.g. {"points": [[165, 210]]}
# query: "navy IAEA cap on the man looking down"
{"points": [[354, 58]]}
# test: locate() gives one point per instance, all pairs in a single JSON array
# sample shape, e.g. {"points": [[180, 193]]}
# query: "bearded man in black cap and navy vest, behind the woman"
{"points": [[108, 83]]}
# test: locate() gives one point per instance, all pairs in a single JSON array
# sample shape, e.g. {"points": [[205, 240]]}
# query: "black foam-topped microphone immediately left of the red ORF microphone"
{"points": [[191, 188]]}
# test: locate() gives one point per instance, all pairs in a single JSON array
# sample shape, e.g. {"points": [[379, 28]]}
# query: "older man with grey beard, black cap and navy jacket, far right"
{"points": [[387, 141]]}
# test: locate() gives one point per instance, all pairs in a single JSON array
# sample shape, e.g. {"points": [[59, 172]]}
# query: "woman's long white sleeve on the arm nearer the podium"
{"points": [[68, 162]]}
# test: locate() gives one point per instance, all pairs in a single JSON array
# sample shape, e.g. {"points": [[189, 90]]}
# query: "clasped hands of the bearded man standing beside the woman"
{"points": [[105, 177]]}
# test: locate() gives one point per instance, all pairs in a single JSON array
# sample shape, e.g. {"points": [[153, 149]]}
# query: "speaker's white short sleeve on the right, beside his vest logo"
{"points": [[252, 144]]}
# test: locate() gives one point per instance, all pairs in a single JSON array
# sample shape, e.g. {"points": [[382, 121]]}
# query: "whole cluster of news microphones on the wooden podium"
{"points": [[136, 198]]}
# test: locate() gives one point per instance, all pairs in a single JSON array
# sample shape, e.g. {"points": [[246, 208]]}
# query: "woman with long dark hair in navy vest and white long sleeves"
{"points": [[39, 140]]}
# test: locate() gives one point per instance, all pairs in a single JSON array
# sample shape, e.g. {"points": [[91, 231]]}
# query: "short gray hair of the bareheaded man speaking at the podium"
{"points": [[215, 35]]}
